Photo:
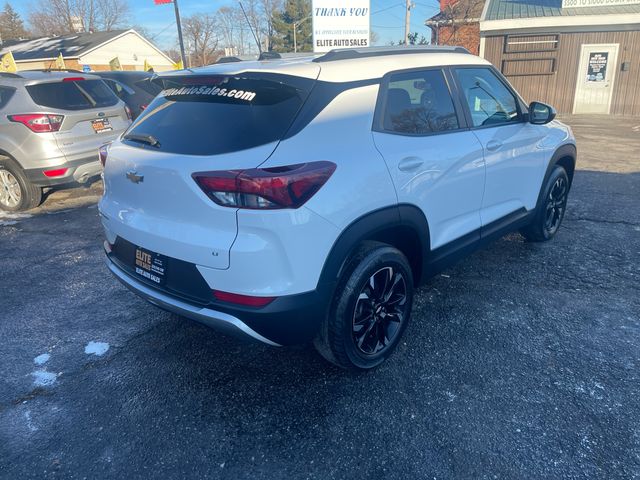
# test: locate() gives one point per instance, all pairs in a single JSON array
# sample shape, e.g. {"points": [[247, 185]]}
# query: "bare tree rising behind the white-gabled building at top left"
{"points": [[62, 17]]}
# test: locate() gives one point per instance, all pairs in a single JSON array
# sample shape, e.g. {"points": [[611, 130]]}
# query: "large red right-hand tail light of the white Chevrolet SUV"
{"points": [[265, 188]]}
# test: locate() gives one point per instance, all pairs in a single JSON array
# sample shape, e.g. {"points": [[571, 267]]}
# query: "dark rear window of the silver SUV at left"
{"points": [[73, 95]]}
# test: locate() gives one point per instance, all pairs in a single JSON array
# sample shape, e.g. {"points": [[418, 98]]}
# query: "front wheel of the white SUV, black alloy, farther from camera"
{"points": [[550, 212]]}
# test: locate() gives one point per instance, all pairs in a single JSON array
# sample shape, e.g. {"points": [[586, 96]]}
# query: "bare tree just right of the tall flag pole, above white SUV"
{"points": [[200, 36]]}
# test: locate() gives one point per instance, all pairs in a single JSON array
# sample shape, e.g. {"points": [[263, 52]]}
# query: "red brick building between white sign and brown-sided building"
{"points": [[457, 23]]}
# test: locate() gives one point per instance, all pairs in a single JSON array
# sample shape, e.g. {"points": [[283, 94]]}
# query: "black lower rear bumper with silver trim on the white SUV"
{"points": [[288, 320]]}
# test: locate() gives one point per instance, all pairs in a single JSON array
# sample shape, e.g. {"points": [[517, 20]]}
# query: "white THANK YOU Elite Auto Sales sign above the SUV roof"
{"points": [[340, 24]]}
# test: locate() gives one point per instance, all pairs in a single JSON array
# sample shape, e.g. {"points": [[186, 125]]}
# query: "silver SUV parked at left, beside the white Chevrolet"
{"points": [[52, 124]]}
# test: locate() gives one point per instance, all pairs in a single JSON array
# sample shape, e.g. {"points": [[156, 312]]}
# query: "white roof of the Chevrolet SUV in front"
{"points": [[344, 65]]}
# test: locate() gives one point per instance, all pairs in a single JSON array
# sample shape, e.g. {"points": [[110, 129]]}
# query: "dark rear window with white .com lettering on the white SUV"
{"points": [[219, 114]]}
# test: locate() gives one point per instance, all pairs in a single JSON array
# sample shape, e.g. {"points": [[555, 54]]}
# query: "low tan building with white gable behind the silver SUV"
{"points": [[88, 51]]}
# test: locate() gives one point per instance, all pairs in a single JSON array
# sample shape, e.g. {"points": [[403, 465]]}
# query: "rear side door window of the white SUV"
{"points": [[418, 103]]}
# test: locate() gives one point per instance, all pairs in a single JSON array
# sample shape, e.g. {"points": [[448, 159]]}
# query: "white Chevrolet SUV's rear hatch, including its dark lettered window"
{"points": [[196, 124]]}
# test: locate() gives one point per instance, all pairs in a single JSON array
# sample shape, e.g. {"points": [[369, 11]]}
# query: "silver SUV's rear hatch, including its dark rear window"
{"points": [[92, 113]]}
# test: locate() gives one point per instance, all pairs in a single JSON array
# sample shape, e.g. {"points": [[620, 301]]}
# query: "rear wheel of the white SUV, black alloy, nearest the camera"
{"points": [[368, 315]]}
